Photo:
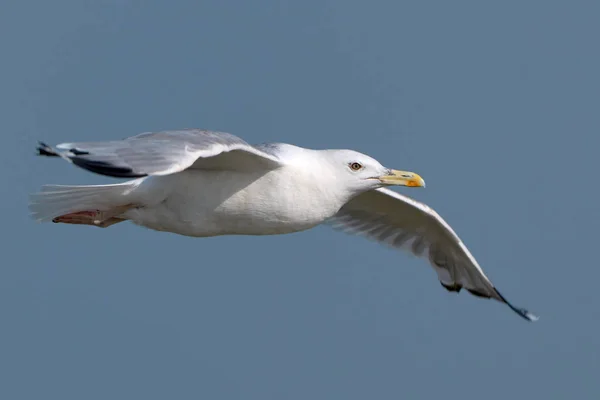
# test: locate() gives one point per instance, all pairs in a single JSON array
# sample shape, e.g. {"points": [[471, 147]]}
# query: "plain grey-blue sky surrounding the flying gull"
{"points": [[495, 104]]}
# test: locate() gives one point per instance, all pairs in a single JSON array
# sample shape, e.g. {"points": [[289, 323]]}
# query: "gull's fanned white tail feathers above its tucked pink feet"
{"points": [[56, 200]]}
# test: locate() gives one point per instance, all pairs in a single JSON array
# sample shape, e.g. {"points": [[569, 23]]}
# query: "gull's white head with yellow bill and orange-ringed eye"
{"points": [[365, 173]]}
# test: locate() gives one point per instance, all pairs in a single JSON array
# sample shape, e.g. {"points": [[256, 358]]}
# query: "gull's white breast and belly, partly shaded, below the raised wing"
{"points": [[210, 203]]}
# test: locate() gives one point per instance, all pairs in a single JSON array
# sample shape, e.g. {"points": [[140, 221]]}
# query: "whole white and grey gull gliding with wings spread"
{"points": [[203, 183]]}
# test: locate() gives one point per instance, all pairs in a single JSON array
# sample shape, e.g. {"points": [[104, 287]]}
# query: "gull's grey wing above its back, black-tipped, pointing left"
{"points": [[163, 153]]}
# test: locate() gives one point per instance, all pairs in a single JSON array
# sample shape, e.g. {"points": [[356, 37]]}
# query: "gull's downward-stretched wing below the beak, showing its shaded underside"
{"points": [[403, 223]]}
